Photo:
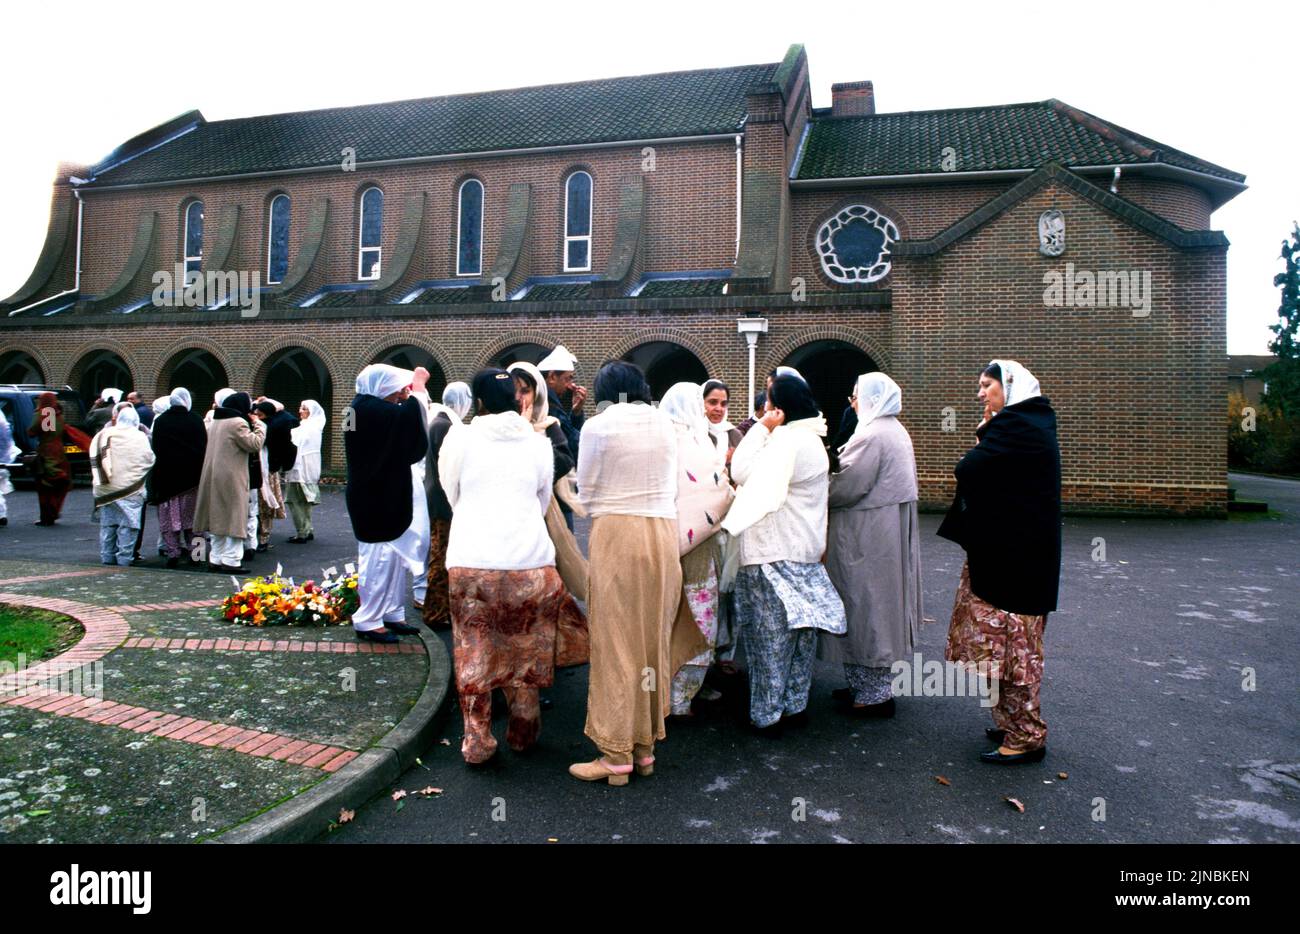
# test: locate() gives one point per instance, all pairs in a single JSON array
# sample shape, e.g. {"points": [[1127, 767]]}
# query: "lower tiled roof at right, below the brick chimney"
{"points": [[983, 139]]}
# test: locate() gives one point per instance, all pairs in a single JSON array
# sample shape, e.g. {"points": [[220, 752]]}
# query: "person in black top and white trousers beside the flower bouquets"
{"points": [[384, 434]]}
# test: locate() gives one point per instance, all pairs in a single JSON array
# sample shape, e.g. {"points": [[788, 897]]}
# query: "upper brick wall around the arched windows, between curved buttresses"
{"points": [[691, 214]]}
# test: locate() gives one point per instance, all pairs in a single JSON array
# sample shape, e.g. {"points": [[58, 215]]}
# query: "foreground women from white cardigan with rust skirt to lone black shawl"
{"points": [[700, 531]]}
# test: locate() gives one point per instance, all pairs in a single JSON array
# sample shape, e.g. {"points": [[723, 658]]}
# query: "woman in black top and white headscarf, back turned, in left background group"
{"points": [[180, 446]]}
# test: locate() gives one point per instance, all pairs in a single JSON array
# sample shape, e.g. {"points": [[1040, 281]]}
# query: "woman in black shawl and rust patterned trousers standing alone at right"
{"points": [[1007, 516]]}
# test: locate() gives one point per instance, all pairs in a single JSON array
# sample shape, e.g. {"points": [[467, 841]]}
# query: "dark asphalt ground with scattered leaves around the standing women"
{"points": [[1149, 700]]}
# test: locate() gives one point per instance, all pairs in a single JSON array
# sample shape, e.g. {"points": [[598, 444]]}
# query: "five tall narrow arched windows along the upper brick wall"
{"points": [[370, 252]]}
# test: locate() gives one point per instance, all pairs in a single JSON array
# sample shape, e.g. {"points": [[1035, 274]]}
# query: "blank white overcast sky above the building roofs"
{"points": [[1214, 80]]}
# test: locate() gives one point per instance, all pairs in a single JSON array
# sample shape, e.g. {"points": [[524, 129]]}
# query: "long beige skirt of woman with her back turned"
{"points": [[634, 598]]}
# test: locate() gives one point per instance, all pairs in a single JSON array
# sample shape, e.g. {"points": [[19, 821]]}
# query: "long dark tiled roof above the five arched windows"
{"points": [[642, 107]]}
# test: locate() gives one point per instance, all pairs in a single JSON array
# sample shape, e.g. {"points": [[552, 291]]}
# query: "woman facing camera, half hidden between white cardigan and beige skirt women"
{"points": [[573, 641]]}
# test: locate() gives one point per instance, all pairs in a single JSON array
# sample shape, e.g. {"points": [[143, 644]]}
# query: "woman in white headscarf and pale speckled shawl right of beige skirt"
{"points": [[704, 496]]}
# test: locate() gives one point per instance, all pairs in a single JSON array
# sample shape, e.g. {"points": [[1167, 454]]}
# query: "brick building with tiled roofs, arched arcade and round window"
{"points": [[640, 218]]}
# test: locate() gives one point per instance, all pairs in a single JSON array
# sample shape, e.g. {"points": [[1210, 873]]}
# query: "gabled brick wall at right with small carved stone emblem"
{"points": [[1139, 400]]}
